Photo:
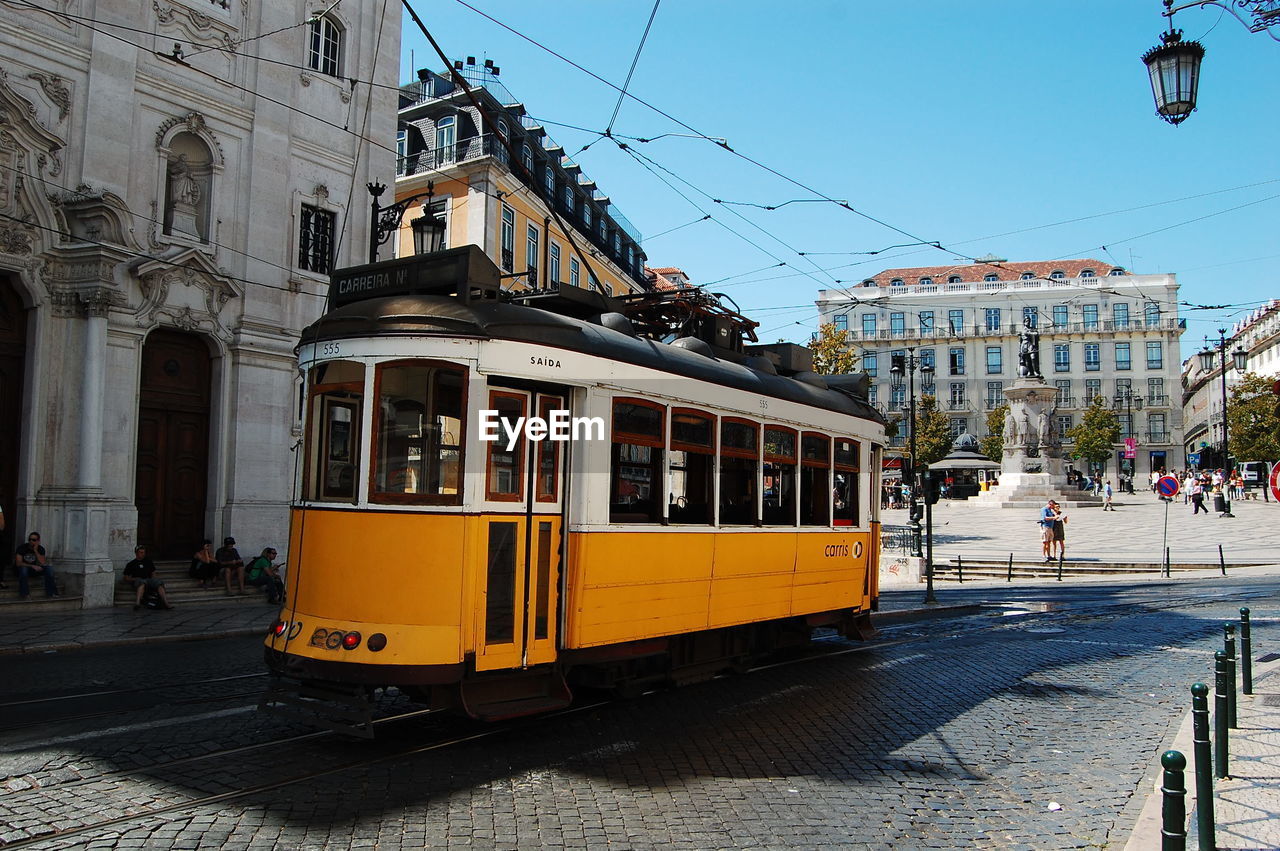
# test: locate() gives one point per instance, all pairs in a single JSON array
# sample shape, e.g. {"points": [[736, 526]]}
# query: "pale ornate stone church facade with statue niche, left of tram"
{"points": [[173, 194]]}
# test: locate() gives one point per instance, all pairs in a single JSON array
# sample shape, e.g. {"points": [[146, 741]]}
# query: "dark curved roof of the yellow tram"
{"points": [[413, 315]]}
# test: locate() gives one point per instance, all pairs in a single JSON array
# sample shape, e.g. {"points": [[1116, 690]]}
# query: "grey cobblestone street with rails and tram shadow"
{"points": [[1027, 731]]}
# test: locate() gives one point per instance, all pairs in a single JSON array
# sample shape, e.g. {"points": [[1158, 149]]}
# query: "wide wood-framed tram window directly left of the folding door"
{"points": [[419, 428]]}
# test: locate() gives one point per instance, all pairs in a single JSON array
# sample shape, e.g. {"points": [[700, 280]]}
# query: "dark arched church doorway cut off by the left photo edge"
{"points": [[13, 356]]}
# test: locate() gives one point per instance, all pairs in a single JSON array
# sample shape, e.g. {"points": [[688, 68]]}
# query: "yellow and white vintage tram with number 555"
{"points": [[712, 500]]}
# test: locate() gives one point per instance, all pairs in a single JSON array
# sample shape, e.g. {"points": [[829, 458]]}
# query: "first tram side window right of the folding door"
{"points": [[636, 478]]}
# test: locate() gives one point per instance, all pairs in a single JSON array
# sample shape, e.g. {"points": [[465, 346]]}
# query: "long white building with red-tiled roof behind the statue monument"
{"points": [[1104, 332]]}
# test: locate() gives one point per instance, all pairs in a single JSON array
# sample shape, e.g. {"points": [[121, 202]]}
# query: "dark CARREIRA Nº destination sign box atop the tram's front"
{"points": [[464, 272]]}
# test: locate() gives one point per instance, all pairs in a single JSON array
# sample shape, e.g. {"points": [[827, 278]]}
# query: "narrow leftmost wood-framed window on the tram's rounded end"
{"points": [[333, 433]]}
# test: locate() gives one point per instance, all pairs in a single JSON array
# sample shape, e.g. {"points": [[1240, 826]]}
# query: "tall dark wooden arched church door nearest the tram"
{"points": [[173, 443]]}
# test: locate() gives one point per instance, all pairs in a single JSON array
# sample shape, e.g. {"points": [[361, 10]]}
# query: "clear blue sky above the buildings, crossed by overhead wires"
{"points": [[971, 125]]}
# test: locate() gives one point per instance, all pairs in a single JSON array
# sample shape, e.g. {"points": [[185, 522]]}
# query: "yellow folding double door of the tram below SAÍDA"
{"points": [[523, 542]]}
